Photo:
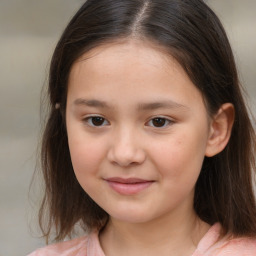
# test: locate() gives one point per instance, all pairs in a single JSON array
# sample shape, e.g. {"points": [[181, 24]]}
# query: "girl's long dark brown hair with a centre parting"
{"points": [[189, 31]]}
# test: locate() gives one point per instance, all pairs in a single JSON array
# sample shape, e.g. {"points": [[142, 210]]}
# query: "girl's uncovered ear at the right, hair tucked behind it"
{"points": [[220, 129]]}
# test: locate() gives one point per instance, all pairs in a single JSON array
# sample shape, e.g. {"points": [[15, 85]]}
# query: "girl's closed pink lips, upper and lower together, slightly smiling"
{"points": [[130, 186]]}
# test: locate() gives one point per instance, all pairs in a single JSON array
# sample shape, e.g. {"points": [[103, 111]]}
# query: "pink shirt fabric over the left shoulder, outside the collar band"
{"points": [[75, 247]]}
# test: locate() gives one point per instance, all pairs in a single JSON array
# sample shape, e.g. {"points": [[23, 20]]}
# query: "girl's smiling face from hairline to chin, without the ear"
{"points": [[137, 131]]}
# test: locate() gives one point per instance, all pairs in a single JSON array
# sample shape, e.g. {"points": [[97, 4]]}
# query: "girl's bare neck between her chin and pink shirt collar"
{"points": [[162, 236]]}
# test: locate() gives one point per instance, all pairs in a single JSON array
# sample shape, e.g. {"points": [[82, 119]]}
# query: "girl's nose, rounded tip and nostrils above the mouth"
{"points": [[126, 149]]}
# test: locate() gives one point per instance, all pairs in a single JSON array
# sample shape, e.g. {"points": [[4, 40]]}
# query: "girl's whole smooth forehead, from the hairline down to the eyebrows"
{"points": [[131, 68]]}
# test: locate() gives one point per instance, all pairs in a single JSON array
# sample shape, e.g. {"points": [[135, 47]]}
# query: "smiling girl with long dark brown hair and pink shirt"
{"points": [[148, 145]]}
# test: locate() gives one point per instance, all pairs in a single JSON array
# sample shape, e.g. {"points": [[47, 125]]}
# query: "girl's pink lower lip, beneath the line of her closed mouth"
{"points": [[129, 188]]}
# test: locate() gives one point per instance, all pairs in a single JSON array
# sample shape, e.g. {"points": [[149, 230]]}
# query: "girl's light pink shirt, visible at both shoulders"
{"points": [[208, 246]]}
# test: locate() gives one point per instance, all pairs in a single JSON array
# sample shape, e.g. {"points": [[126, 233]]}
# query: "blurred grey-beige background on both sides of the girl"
{"points": [[29, 30]]}
